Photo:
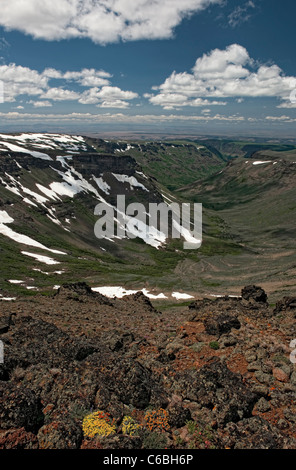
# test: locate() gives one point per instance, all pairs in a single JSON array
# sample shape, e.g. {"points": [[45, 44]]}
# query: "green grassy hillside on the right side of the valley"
{"points": [[255, 207]]}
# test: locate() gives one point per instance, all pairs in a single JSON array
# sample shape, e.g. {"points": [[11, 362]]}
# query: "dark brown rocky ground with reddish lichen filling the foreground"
{"points": [[213, 375]]}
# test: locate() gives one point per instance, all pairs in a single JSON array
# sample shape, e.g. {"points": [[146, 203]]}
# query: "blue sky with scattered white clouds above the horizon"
{"points": [[202, 67]]}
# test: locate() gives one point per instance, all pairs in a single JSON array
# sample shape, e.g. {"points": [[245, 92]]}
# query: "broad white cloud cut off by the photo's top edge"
{"points": [[103, 21]]}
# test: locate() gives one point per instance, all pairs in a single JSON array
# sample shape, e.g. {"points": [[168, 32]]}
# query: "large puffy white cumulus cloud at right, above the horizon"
{"points": [[223, 74]]}
